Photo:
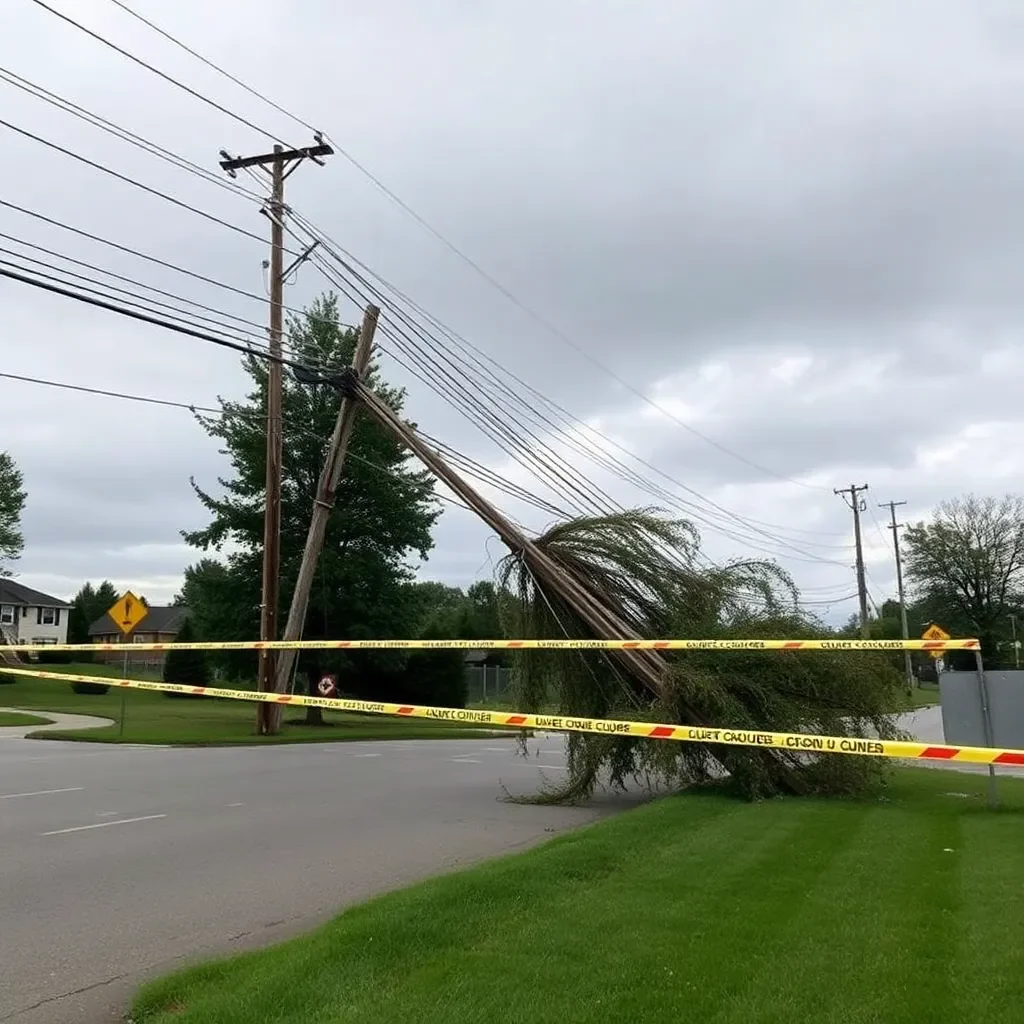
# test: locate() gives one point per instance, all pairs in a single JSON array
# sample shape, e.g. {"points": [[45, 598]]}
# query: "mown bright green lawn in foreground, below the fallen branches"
{"points": [[904, 909]]}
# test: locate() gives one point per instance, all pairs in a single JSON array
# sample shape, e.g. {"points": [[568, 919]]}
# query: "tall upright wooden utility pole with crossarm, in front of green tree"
{"points": [[279, 165]]}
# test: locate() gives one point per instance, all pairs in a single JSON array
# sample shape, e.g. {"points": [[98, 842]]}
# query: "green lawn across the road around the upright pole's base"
{"points": [[153, 718]]}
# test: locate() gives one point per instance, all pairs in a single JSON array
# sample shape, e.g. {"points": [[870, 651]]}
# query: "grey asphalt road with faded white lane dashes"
{"points": [[120, 863]]}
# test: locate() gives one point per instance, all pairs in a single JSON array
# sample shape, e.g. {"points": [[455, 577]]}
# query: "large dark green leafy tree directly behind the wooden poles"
{"points": [[383, 515]]}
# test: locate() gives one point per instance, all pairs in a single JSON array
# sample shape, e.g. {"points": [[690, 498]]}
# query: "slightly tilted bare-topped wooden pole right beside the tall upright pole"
{"points": [[323, 504]]}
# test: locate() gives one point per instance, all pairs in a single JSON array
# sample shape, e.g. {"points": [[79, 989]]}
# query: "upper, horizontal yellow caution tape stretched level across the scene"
{"points": [[515, 646]]}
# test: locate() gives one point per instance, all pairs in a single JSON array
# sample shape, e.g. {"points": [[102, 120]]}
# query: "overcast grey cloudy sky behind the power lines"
{"points": [[796, 228]]}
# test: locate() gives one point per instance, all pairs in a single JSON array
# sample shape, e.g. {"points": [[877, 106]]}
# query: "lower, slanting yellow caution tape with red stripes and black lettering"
{"points": [[800, 743]]}
